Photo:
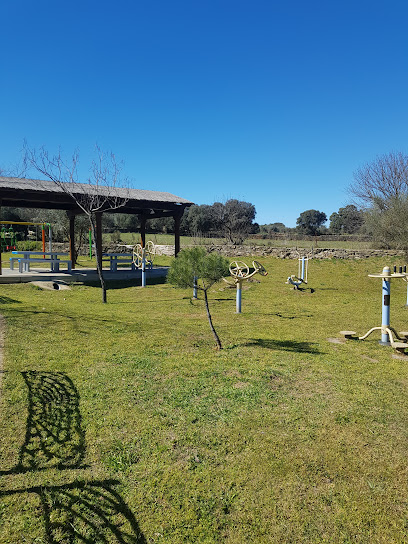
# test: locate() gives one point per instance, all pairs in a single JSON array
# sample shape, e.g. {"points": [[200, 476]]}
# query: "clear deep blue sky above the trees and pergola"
{"points": [[275, 103]]}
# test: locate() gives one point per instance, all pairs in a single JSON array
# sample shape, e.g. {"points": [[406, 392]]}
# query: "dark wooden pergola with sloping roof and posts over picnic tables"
{"points": [[34, 193]]}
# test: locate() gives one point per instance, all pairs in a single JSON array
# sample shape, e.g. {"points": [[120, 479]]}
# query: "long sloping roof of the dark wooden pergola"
{"points": [[33, 193]]}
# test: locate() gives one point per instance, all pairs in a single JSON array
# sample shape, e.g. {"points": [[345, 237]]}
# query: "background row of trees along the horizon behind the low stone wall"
{"points": [[380, 209]]}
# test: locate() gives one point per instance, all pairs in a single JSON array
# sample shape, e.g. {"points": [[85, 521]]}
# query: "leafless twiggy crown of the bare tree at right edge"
{"points": [[385, 177]]}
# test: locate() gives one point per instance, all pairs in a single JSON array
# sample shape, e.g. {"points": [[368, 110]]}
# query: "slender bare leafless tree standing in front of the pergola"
{"points": [[102, 192]]}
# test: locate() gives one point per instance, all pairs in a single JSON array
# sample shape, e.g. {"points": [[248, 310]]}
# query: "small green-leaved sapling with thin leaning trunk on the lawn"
{"points": [[208, 268]]}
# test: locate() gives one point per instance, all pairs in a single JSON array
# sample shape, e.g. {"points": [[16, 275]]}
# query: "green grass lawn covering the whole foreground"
{"points": [[121, 423]]}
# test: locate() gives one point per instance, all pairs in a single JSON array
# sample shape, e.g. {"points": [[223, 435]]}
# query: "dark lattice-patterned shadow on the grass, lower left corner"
{"points": [[82, 511]]}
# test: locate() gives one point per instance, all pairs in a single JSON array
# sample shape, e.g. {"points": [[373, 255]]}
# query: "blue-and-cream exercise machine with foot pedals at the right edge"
{"points": [[387, 332]]}
